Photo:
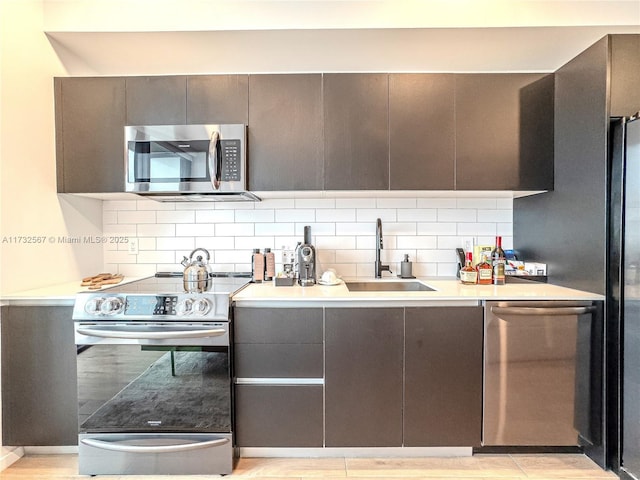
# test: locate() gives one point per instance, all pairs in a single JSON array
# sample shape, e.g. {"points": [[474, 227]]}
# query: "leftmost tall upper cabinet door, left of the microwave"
{"points": [[90, 119]]}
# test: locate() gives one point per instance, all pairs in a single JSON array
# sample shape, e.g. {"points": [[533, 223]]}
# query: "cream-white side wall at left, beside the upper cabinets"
{"points": [[29, 205]]}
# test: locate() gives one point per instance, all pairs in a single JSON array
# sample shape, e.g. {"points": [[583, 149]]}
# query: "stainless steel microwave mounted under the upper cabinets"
{"points": [[187, 162]]}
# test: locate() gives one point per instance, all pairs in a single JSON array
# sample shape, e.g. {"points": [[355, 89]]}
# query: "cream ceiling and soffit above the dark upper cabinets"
{"points": [[140, 37]]}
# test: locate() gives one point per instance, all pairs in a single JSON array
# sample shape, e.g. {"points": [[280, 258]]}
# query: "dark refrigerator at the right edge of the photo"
{"points": [[624, 297]]}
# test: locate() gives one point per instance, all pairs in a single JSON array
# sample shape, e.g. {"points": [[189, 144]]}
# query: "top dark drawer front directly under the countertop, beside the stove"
{"points": [[277, 325]]}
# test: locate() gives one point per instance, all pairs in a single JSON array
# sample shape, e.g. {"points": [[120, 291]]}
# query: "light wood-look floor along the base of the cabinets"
{"points": [[478, 467]]}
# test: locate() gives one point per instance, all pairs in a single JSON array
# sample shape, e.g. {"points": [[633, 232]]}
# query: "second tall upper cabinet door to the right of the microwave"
{"points": [[356, 127]]}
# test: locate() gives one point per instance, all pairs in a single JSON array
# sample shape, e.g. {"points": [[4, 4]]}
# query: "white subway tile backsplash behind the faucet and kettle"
{"points": [[343, 231]]}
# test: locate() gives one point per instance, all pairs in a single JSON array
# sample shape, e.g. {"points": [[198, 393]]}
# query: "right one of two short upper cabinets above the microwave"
{"points": [[214, 99]]}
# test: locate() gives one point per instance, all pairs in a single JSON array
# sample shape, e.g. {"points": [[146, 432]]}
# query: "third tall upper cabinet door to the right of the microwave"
{"points": [[421, 132]]}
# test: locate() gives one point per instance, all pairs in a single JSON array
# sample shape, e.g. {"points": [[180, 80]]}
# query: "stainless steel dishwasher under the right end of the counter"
{"points": [[530, 372]]}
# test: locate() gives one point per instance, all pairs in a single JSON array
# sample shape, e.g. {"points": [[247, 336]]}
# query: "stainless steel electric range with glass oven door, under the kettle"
{"points": [[154, 384]]}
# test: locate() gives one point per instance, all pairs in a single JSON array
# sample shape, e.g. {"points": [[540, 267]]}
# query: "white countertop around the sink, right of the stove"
{"points": [[447, 291]]}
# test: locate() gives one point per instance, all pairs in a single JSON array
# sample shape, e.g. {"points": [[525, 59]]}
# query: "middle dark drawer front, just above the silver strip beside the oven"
{"points": [[278, 361]]}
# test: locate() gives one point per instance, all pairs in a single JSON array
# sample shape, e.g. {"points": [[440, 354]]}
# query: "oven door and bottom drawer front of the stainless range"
{"points": [[154, 394]]}
